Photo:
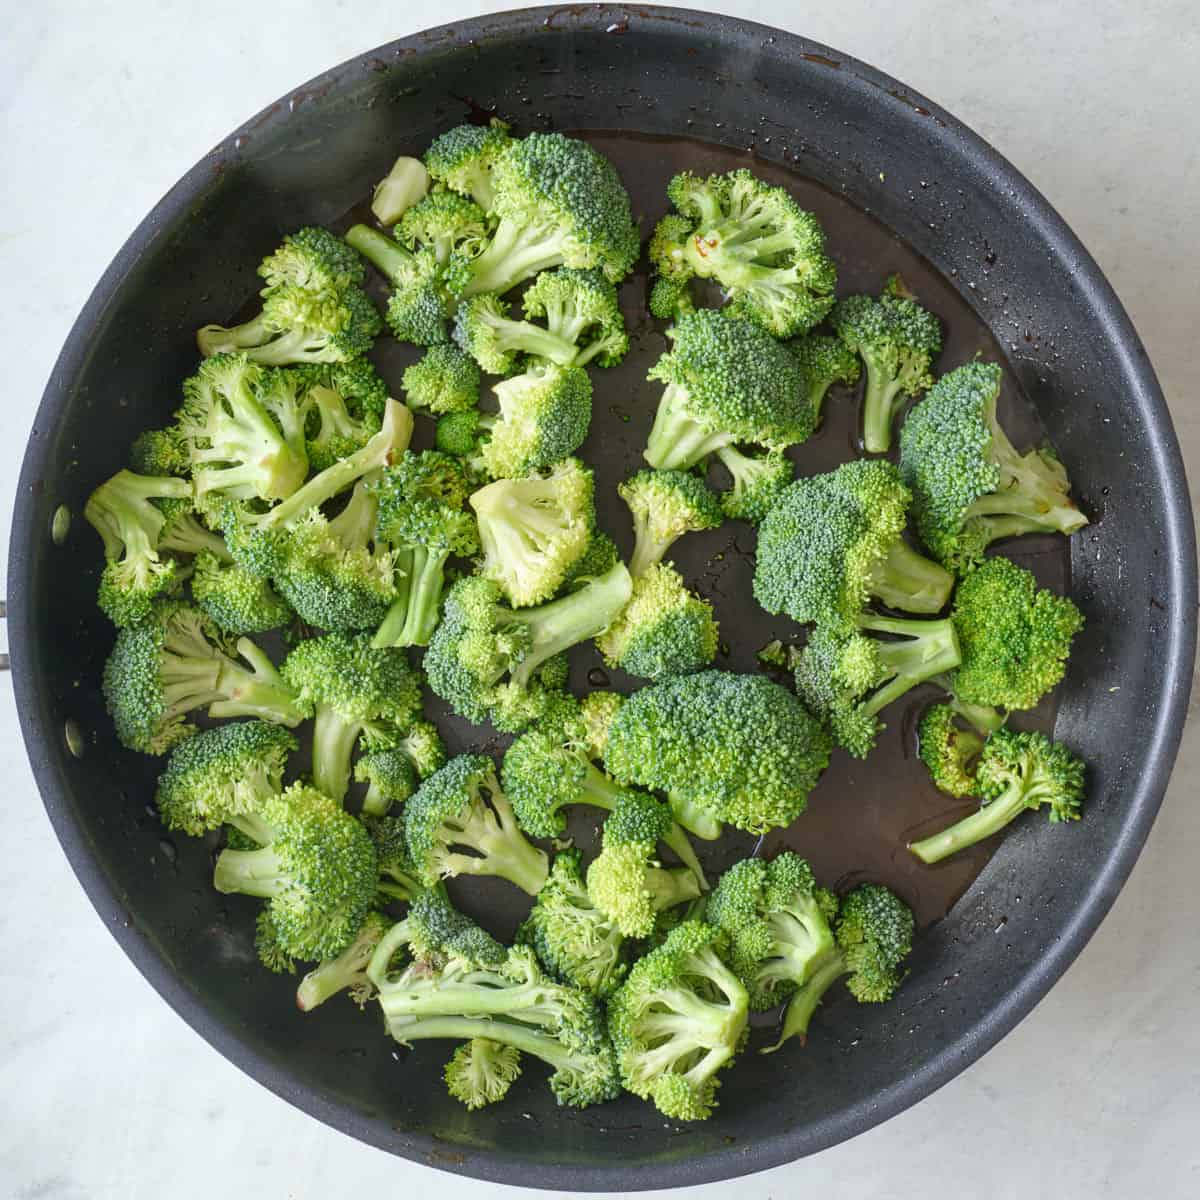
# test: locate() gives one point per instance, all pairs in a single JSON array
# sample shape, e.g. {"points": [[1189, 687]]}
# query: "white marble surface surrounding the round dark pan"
{"points": [[105, 1093]]}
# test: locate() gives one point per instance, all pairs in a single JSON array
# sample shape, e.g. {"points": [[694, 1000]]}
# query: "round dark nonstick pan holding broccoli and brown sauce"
{"points": [[991, 255]]}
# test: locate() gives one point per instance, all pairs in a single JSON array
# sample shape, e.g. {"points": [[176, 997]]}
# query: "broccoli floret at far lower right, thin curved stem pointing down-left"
{"points": [[873, 937]]}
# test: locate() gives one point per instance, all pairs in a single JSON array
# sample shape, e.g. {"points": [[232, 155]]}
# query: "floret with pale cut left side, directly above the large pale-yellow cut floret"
{"points": [[544, 417]]}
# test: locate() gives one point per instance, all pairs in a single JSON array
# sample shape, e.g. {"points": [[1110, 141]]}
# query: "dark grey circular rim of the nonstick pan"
{"points": [[43, 736]]}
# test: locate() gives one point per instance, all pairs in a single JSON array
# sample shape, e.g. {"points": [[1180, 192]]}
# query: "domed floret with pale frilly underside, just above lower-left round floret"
{"points": [[225, 776]]}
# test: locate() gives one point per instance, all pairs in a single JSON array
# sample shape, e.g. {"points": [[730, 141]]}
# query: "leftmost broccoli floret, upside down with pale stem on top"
{"points": [[124, 513]]}
